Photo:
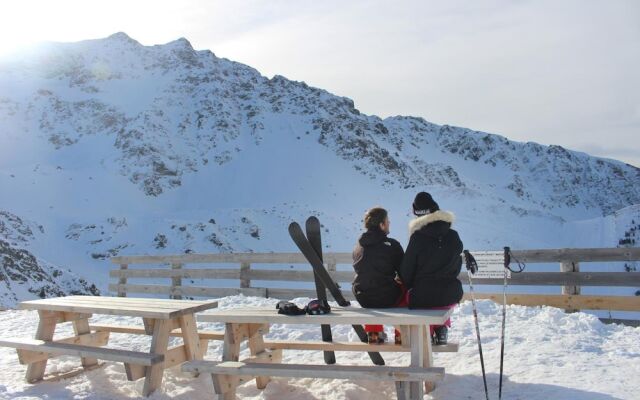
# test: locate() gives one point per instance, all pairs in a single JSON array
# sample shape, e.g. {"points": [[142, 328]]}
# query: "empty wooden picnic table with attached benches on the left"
{"points": [[159, 316]]}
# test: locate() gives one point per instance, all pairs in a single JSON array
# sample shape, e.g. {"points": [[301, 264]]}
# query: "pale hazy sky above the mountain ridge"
{"points": [[553, 72]]}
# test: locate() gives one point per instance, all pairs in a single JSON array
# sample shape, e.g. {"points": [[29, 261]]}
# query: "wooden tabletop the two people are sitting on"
{"points": [[338, 316]]}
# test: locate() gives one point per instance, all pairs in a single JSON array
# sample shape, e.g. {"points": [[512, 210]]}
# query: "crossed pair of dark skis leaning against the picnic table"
{"points": [[311, 248]]}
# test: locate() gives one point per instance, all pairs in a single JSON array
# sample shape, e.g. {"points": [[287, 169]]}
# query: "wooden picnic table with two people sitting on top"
{"points": [[252, 324]]}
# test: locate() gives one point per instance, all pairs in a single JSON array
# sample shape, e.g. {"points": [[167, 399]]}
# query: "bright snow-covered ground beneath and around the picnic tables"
{"points": [[549, 355]]}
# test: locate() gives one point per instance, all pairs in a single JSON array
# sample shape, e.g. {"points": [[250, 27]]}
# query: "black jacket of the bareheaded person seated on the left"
{"points": [[376, 259]]}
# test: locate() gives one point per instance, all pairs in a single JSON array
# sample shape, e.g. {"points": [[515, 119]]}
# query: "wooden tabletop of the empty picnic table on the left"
{"points": [[129, 306]]}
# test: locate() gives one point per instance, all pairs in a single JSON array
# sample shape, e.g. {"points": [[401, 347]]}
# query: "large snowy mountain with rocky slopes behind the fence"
{"points": [[118, 148]]}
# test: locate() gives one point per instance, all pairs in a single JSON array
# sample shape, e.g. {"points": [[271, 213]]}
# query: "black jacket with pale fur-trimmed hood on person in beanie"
{"points": [[432, 262]]}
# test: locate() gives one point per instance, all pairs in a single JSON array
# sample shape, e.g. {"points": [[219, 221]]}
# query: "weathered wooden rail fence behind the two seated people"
{"points": [[569, 278]]}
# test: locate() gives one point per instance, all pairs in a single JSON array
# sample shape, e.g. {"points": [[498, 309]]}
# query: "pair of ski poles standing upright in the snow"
{"points": [[472, 267]]}
